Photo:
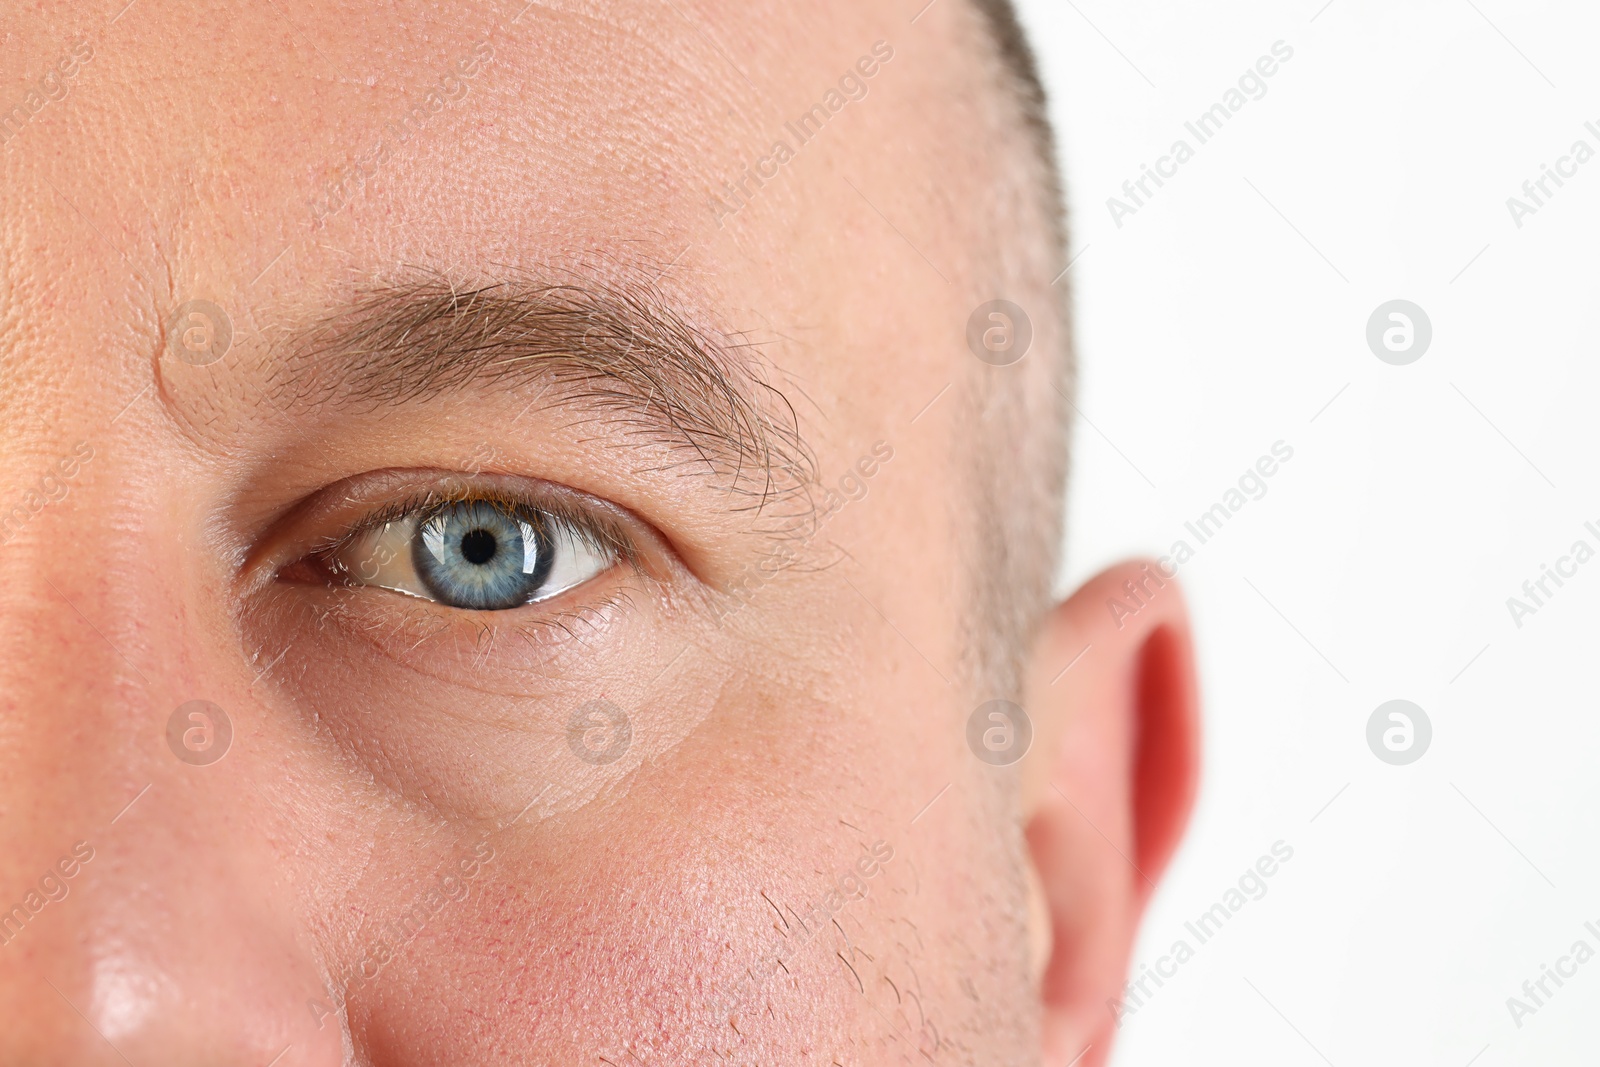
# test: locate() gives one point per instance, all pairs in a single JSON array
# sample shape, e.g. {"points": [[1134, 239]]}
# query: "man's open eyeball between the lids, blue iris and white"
{"points": [[478, 551]]}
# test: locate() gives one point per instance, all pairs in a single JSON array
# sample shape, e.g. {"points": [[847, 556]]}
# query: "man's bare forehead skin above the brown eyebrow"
{"points": [[266, 156]]}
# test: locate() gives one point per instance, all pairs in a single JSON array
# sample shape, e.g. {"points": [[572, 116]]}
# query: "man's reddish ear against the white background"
{"points": [[1106, 788]]}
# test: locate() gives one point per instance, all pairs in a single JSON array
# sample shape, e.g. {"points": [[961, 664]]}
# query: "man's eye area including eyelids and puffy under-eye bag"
{"points": [[446, 625]]}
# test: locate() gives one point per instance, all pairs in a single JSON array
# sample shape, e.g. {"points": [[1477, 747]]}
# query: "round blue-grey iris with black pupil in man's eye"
{"points": [[482, 556]]}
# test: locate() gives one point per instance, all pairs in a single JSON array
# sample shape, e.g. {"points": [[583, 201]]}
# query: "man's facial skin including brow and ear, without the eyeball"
{"points": [[468, 252]]}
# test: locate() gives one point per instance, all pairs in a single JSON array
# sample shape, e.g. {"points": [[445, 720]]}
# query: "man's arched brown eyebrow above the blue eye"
{"points": [[618, 350]]}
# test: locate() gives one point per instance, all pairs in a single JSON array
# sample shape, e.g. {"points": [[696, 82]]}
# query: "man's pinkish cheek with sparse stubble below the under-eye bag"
{"points": [[649, 922]]}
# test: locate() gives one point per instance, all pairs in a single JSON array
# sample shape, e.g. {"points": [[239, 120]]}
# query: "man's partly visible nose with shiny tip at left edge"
{"points": [[142, 919]]}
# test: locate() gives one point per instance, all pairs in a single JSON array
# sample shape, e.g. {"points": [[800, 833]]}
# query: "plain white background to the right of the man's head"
{"points": [[1217, 322]]}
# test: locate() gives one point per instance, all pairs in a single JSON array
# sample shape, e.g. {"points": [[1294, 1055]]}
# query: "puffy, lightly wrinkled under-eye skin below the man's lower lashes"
{"points": [[489, 721]]}
